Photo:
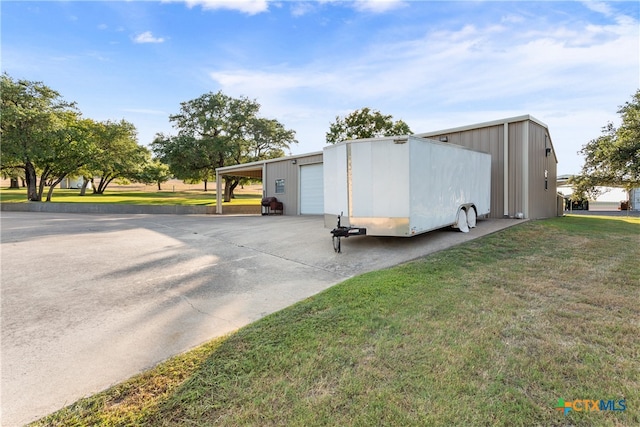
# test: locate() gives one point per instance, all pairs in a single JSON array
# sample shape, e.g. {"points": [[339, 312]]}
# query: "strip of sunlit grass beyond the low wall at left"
{"points": [[184, 198]]}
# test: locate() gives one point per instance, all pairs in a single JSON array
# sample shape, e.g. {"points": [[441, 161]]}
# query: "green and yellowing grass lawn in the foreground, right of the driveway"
{"points": [[491, 332]]}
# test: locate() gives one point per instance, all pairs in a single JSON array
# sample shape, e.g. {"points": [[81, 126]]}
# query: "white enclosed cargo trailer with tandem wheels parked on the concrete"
{"points": [[403, 186]]}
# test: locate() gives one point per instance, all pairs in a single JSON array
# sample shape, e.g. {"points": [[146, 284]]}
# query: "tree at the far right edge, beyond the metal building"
{"points": [[613, 159]]}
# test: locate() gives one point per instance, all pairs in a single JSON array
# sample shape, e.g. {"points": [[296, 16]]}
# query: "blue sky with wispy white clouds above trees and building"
{"points": [[433, 64]]}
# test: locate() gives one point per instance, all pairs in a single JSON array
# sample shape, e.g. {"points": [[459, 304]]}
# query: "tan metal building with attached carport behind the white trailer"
{"points": [[523, 170]]}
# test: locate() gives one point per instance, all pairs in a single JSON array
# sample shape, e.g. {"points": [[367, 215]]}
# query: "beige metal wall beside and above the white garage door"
{"points": [[290, 172]]}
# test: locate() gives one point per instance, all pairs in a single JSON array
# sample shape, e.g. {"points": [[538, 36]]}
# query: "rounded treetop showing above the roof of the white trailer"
{"points": [[365, 123]]}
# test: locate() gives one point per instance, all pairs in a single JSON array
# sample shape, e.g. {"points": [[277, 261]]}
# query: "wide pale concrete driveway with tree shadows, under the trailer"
{"points": [[90, 300]]}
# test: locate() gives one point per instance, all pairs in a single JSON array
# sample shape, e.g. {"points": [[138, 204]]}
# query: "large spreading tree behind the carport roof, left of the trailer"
{"points": [[216, 130]]}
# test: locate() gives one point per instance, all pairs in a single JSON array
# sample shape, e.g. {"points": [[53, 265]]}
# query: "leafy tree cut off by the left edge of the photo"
{"points": [[31, 121]]}
